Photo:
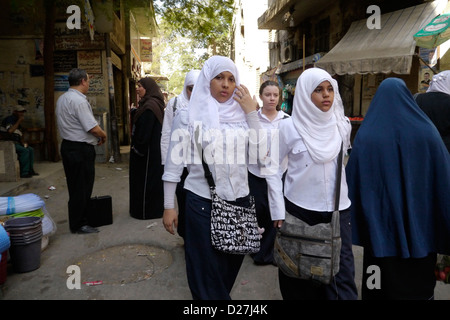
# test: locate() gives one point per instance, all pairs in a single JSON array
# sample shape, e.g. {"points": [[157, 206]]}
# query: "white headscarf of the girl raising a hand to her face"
{"points": [[203, 107]]}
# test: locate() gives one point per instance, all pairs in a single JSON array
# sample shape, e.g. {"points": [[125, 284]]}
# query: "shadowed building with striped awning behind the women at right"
{"points": [[359, 42]]}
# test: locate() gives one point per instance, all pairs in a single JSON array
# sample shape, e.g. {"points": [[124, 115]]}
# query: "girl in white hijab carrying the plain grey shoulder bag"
{"points": [[312, 139]]}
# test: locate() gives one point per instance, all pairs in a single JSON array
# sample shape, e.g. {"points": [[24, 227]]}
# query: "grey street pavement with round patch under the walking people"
{"points": [[133, 259]]}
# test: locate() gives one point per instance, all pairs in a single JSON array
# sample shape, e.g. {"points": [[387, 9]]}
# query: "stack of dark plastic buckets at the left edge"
{"points": [[26, 236]]}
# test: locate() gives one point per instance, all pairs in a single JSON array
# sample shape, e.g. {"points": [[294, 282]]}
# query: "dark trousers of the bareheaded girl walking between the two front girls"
{"points": [[258, 188]]}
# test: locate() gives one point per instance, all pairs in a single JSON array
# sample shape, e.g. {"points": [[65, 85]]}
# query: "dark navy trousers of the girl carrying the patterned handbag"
{"points": [[211, 274]]}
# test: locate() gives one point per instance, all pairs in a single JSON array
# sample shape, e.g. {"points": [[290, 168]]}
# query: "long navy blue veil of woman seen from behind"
{"points": [[398, 177]]}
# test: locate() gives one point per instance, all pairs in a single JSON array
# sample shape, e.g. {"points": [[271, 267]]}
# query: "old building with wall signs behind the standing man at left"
{"points": [[107, 38]]}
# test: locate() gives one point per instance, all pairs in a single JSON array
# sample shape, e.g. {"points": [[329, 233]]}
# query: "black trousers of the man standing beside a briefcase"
{"points": [[79, 166]]}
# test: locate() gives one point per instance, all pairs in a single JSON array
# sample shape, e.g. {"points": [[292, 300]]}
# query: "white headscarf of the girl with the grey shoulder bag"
{"points": [[322, 132]]}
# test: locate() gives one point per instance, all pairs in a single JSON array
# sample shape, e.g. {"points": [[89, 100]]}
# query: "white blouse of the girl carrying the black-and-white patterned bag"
{"points": [[229, 169]]}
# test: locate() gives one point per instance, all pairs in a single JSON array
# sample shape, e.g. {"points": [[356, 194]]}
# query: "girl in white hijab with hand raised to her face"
{"points": [[213, 108]]}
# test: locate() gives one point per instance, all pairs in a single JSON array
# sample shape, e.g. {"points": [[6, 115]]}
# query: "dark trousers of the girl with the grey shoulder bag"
{"points": [[343, 286]]}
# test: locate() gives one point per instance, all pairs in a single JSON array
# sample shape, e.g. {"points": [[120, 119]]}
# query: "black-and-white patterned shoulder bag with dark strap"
{"points": [[234, 227]]}
